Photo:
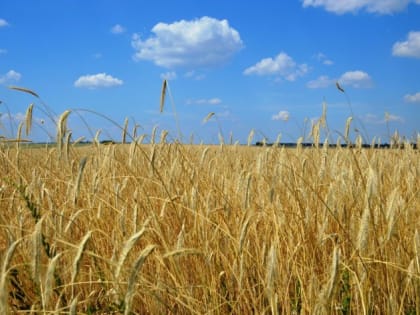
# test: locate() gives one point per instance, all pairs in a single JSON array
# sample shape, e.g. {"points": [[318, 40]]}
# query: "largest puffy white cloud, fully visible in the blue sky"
{"points": [[201, 42]]}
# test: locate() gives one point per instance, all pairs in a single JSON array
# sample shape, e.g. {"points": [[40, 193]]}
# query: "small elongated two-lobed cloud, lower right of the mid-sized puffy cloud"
{"points": [[355, 79]]}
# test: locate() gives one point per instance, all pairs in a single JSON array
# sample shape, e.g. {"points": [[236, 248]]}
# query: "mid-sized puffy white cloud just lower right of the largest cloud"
{"points": [[281, 66]]}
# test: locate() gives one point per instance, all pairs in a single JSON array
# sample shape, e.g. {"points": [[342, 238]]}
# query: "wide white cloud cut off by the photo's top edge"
{"points": [[371, 6]]}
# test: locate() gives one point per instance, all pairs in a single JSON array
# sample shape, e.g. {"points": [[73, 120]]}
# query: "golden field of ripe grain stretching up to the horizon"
{"points": [[178, 229]]}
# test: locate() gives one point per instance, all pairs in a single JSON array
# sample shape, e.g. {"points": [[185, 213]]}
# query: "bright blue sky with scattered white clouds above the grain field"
{"points": [[266, 66]]}
